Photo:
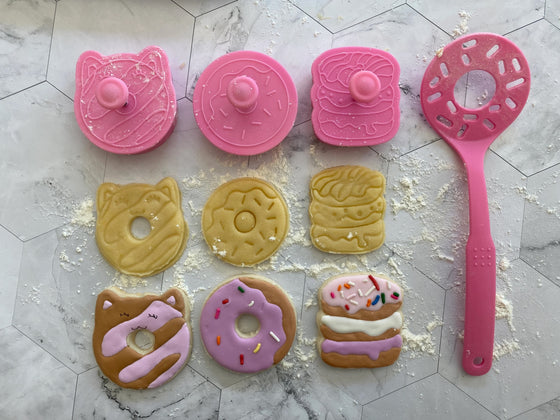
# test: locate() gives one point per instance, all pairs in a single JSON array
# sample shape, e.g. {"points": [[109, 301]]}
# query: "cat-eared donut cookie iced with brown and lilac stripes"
{"points": [[141, 341]]}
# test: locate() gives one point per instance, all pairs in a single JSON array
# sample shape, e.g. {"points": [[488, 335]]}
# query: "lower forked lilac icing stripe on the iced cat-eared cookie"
{"points": [[178, 344]]}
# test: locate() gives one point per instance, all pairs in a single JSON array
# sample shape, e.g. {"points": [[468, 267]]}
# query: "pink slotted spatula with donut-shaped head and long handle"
{"points": [[470, 132]]}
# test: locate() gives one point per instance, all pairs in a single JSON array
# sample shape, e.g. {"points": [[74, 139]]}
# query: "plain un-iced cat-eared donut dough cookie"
{"points": [[118, 206]]}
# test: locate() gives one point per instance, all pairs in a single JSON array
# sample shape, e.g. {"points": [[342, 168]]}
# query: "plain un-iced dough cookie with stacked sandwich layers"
{"points": [[346, 210]]}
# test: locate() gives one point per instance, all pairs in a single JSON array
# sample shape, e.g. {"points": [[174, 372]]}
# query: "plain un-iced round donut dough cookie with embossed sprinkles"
{"points": [[245, 221]]}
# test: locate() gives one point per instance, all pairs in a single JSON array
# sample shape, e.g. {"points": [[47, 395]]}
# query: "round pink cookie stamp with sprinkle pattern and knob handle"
{"points": [[245, 103]]}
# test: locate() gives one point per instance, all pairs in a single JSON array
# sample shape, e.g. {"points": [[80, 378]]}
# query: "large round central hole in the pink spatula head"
{"points": [[474, 89]]}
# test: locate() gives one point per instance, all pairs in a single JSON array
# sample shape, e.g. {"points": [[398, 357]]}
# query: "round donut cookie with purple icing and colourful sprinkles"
{"points": [[238, 350]]}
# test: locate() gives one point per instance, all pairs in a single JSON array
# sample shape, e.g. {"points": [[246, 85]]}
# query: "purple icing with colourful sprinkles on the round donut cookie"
{"points": [[228, 353]]}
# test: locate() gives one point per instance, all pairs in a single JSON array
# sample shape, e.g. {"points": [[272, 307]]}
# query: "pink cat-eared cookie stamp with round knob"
{"points": [[125, 103]]}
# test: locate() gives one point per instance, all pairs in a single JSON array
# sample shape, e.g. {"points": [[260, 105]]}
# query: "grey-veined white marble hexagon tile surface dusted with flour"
{"points": [[51, 270]]}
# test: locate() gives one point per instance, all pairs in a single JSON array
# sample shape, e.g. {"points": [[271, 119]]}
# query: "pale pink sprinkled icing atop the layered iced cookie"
{"points": [[350, 297]]}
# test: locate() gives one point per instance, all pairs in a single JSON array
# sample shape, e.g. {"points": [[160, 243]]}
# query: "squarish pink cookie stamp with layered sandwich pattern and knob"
{"points": [[355, 96]]}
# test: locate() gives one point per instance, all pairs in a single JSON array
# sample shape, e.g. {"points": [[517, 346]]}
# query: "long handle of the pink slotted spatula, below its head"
{"points": [[480, 277]]}
